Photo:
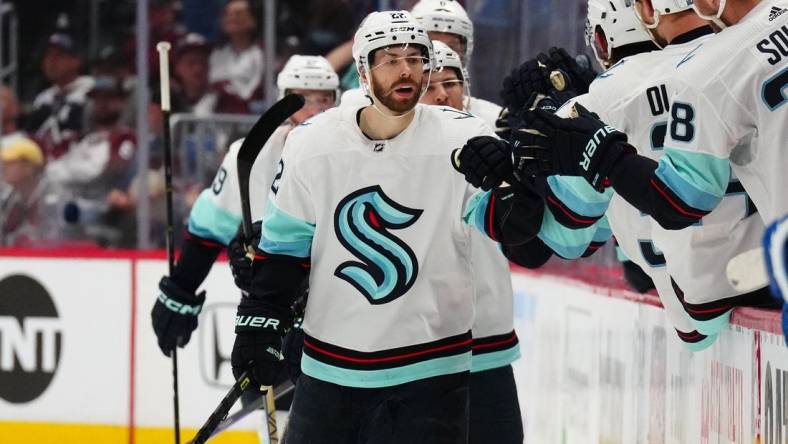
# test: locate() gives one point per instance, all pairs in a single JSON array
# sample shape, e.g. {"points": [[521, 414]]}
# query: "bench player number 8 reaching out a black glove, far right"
{"points": [[720, 119]]}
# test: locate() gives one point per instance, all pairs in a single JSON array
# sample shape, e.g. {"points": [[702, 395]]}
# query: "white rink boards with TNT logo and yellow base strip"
{"points": [[78, 359]]}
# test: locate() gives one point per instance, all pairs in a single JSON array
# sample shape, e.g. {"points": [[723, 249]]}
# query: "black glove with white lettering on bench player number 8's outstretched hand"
{"points": [[582, 146]]}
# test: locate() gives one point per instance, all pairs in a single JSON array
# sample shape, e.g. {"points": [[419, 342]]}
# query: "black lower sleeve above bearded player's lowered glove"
{"points": [[277, 280]]}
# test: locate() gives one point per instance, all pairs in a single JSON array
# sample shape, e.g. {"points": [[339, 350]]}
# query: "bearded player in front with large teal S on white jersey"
{"points": [[368, 209]]}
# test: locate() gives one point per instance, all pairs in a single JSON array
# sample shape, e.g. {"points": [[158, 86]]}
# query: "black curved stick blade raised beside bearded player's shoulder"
{"points": [[253, 144]]}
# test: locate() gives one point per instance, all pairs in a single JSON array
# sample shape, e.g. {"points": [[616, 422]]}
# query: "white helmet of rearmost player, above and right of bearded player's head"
{"points": [[446, 16]]}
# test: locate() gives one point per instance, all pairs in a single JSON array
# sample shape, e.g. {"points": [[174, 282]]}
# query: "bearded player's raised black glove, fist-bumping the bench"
{"points": [[485, 161]]}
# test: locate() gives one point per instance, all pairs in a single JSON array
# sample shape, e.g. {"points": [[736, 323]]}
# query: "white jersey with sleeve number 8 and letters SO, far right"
{"points": [[732, 106]]}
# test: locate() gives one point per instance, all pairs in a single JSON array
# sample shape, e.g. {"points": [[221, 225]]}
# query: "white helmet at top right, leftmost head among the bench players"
{"points": [[612, 24]]}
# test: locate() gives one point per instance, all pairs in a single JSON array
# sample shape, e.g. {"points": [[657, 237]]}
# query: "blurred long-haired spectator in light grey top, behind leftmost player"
{"points": [[237, 66]]}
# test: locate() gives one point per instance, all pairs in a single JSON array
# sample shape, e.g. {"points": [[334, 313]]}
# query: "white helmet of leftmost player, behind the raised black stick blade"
{"points": [[307, 72]]}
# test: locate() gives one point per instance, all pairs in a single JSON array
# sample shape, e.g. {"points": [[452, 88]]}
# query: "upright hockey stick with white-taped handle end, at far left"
{"points": [[164, 73]]}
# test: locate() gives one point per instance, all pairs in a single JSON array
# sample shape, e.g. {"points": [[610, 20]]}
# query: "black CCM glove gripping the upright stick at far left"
{"points": [[174, 315]]}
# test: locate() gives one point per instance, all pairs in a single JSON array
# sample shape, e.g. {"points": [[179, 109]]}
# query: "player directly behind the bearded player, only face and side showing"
{"points": [[495, 410]]}
